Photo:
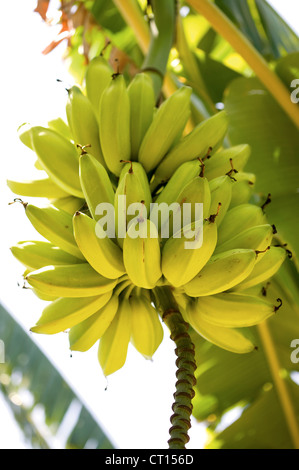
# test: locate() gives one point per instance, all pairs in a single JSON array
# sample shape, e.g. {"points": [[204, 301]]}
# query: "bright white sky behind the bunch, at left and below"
{"points": [[140, 393]]}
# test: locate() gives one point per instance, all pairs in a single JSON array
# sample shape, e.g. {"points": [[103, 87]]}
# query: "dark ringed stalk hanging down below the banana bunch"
{"points": [[182, 406]]}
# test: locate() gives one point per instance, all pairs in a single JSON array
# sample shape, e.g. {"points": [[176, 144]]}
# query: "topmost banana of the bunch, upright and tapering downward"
{"points": [[97, 78]]}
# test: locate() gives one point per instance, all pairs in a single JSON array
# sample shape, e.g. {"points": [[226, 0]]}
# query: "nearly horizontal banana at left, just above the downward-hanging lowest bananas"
{"points": [[74, 280]]}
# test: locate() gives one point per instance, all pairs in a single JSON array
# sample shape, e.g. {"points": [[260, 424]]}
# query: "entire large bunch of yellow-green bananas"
{"points": [[132, 202]]}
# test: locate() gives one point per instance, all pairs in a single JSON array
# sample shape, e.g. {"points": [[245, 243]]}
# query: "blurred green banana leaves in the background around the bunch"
{"points": [[249, 401]]}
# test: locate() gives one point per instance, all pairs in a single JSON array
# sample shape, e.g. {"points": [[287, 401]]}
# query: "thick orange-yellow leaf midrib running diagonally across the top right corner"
{"points": [[240, 43]]}
